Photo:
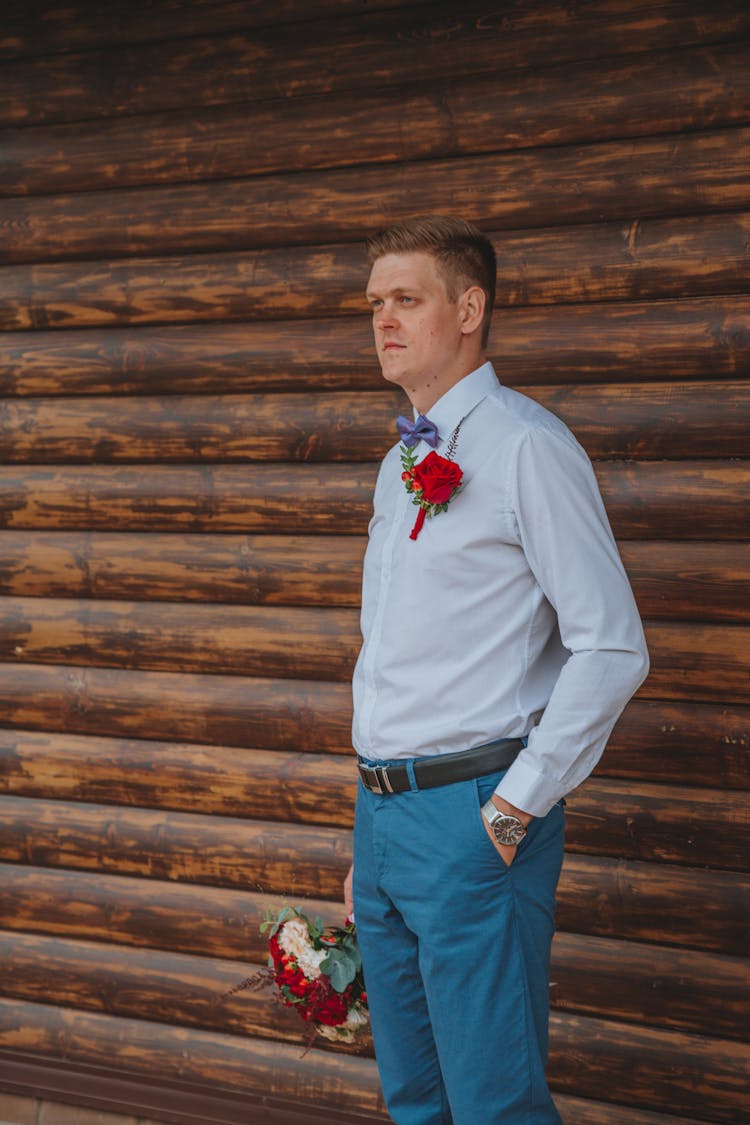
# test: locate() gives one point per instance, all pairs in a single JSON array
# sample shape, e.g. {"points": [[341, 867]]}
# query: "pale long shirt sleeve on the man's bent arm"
{"points": [[568, 544]]}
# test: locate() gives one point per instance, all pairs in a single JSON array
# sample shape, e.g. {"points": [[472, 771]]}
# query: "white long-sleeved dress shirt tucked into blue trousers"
{"points": [[510, 616]]}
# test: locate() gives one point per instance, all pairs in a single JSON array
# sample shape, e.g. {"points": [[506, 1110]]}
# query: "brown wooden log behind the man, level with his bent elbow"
{"points": [[689, 661]]}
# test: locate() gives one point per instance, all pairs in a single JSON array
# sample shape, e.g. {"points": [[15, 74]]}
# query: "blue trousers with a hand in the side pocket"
{"points": [[456, 950]]}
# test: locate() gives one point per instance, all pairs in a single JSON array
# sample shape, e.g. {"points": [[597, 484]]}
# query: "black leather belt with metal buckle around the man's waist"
{"points": [[444, 769]]}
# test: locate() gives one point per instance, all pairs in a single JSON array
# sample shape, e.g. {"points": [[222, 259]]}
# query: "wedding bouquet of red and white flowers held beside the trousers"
{"points": [[319, 973]]}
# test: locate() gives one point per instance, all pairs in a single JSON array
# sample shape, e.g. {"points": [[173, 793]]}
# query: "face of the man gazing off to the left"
{"points": [[418, 328]]}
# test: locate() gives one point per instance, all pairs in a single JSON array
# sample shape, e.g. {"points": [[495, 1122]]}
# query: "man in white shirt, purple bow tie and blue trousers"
{"points": [[501, 643]]}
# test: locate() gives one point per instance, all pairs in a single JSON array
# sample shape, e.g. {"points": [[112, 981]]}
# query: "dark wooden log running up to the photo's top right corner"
{"points": [[372, 50]]}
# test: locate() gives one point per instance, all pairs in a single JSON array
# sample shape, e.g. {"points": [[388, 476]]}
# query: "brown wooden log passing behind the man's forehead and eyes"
{"points": [[655, 259]]}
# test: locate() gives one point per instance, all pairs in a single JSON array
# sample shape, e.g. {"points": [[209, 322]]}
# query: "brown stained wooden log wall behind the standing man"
{"points": [[192, 422]]}
